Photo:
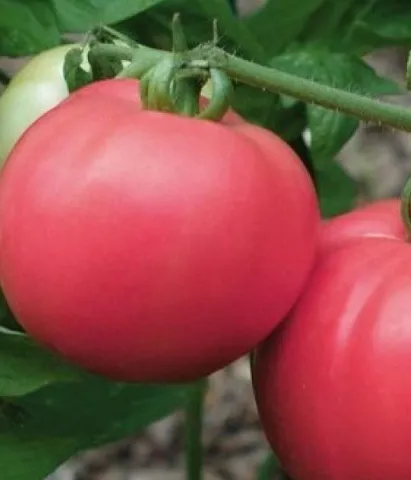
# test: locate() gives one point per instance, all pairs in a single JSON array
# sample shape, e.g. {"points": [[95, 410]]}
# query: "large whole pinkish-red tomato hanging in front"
{"points": [[146, 246]]}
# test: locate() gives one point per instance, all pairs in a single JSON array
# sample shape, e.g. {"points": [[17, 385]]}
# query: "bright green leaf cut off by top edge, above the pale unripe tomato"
{"points": [[82, 15]]}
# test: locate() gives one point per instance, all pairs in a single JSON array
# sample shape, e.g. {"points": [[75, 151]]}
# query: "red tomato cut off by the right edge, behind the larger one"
{"points": [[332, 383]]}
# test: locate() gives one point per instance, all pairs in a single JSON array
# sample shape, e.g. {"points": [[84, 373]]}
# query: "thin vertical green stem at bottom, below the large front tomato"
{"points": [[193, 434]]}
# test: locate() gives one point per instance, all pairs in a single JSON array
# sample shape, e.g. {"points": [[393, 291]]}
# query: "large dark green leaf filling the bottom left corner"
{"points": [[45, 428]]}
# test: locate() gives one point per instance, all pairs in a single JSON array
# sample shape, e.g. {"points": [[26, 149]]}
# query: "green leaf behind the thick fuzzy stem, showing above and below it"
{"points": [[329, 129]]}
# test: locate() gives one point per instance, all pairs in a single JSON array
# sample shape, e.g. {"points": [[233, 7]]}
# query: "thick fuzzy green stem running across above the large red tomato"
{"points": [[205, 57]]}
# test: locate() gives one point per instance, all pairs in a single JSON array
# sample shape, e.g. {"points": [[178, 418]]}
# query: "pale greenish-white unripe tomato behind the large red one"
{"points": [[35, 89]]}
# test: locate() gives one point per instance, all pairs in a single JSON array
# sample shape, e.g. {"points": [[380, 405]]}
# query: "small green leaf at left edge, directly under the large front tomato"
{"points": [[25, 367]]}
